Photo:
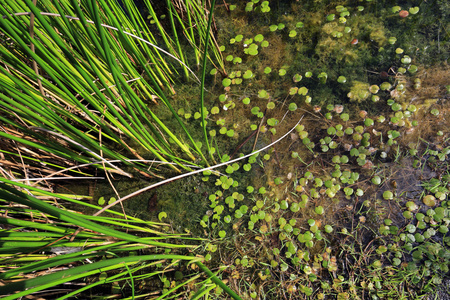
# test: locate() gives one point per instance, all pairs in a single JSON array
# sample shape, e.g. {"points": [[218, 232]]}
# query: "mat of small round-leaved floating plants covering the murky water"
{"points": [[351, 203]]}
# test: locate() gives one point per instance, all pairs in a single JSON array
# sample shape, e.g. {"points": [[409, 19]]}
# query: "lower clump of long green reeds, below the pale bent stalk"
{"points": [[45, 247]]}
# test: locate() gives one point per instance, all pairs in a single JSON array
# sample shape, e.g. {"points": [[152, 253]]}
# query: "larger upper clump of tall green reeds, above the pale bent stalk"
{"points": [[79, 79]]}
